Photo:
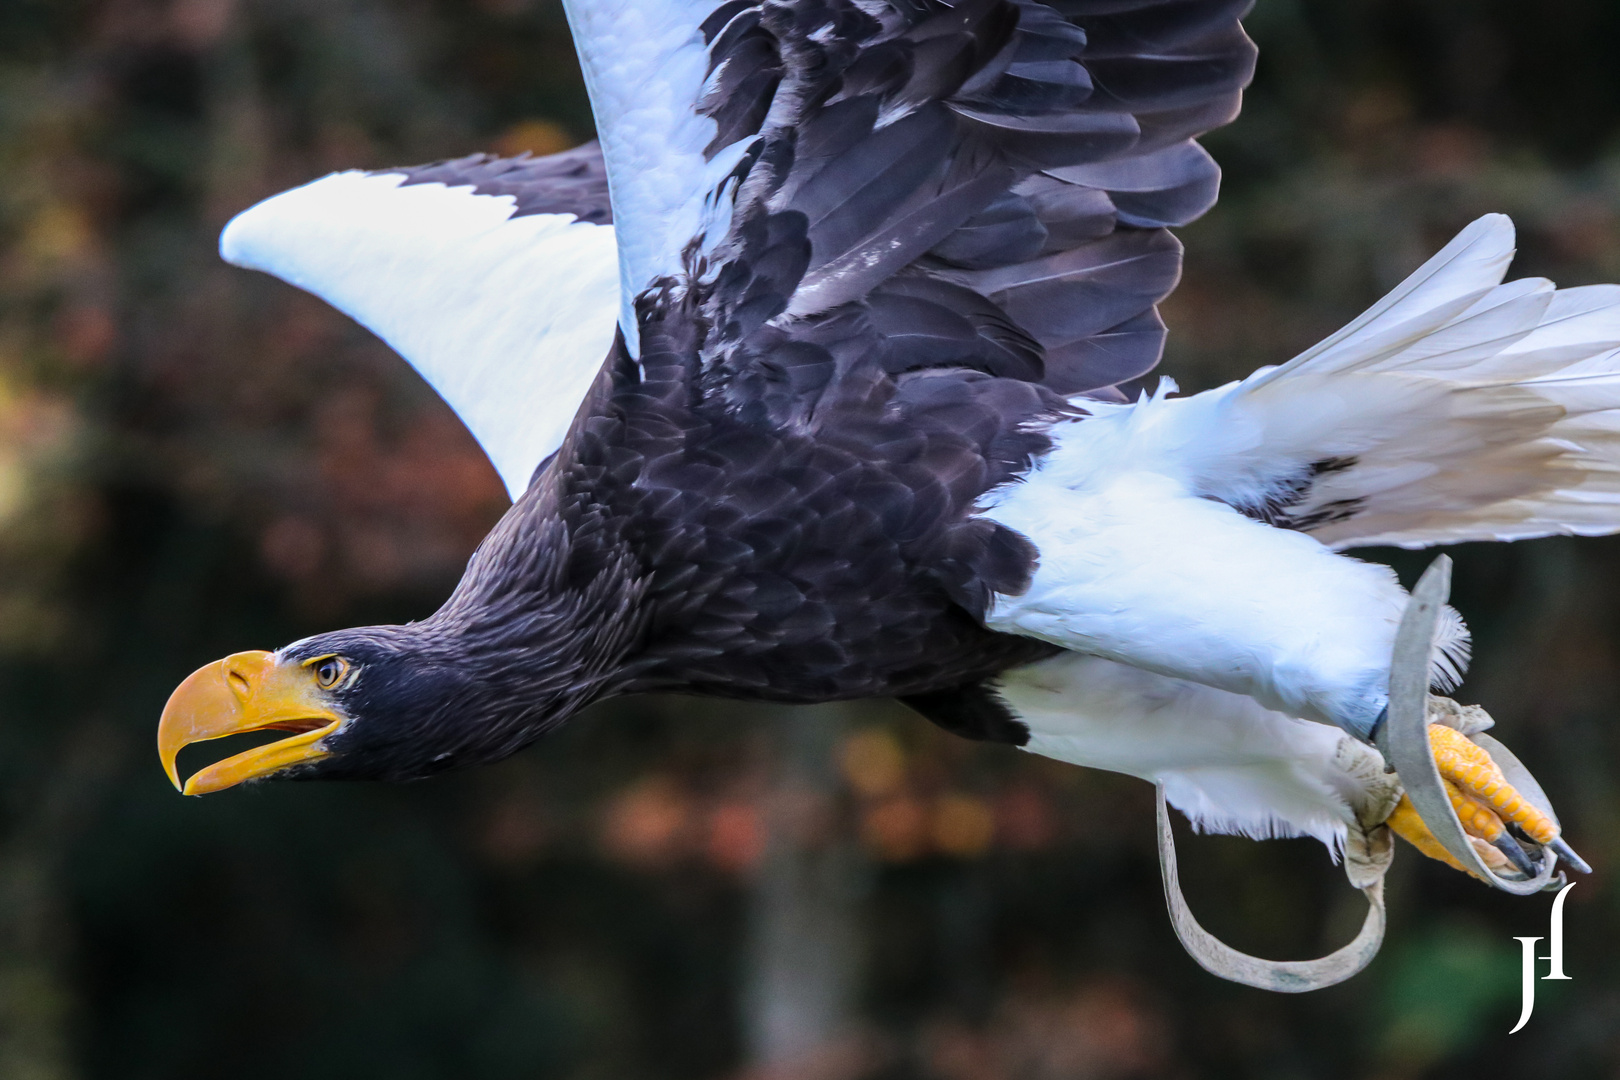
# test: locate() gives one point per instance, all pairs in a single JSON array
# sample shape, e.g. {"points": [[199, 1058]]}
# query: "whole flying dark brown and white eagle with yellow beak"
{"points": [[819, 378]]}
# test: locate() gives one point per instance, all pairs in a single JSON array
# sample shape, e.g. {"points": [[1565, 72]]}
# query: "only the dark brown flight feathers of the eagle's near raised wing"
{"points": [[1030, 176]]}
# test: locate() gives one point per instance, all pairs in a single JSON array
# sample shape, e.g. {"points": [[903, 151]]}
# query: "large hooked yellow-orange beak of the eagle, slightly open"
{"points": [[249, 692]]}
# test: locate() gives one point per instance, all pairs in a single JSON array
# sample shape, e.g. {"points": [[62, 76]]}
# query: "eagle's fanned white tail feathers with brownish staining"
{"points": [[1456, 409]]}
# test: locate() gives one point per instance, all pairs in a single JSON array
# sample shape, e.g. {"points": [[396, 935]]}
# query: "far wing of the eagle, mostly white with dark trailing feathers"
{"points": [[495, 278]]}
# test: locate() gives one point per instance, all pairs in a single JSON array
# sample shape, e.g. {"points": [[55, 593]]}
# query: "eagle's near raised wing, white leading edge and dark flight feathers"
{"points": [[981, 185]]}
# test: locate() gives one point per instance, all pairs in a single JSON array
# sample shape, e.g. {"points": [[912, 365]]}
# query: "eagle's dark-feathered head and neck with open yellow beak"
{"points": [[539, 629]]}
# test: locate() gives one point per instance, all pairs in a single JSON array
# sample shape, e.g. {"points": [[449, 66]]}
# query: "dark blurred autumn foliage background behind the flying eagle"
{"points": [[197, 461]]}
